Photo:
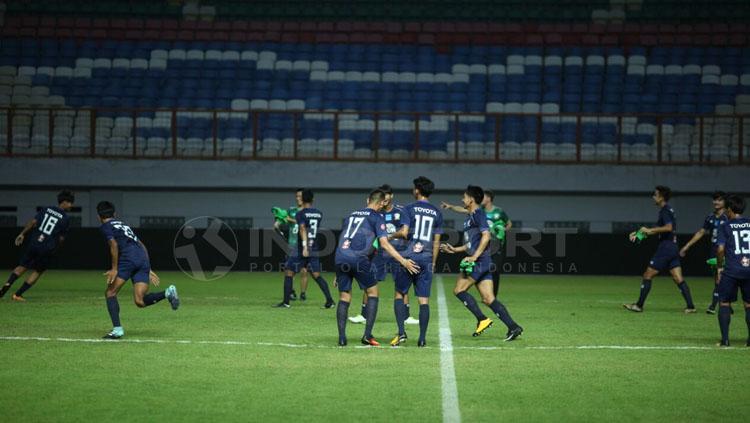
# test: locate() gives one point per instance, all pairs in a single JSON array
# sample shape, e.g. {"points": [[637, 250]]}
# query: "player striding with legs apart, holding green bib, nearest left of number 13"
{"points": [[667, 256]]}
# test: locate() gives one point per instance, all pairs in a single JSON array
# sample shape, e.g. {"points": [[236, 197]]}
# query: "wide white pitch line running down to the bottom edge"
{"points": [[451, 411]]}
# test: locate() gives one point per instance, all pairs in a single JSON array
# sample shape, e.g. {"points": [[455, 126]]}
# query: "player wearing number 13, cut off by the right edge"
{"points": [[733, 260]]}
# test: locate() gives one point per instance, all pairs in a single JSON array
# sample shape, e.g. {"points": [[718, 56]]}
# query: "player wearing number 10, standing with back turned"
{"points": [[422, 227]]}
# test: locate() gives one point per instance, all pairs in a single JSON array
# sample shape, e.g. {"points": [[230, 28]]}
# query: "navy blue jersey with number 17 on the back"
{"points": [[358, 233]]}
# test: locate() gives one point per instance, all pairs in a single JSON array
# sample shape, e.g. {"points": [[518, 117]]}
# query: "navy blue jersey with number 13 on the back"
{"points": [[735, 237]]}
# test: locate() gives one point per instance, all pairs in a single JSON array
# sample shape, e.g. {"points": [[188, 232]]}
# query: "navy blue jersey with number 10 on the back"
{"points": [[425, 221]]}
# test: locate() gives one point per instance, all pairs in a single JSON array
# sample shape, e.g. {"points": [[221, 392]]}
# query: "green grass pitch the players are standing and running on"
{"points": [[261, 379]]}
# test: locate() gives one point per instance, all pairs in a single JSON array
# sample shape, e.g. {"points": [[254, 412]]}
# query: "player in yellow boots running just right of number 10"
{"points": [[476, 239]]}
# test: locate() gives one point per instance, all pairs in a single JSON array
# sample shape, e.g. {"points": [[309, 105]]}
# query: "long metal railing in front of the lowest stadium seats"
{"points": [[375, 136]]}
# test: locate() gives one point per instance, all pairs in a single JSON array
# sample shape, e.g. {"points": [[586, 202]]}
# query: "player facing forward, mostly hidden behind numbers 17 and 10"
{"points": [[383, 263]]}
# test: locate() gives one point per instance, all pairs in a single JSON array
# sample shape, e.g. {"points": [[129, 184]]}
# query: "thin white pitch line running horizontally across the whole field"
{"points": [[313, 346]]}
